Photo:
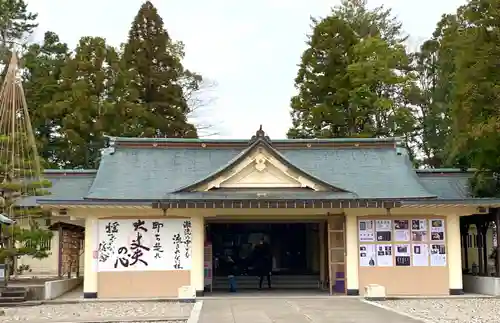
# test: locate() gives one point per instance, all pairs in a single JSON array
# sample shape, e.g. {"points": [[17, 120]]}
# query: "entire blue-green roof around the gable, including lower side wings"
{"points": [[367, 169]]}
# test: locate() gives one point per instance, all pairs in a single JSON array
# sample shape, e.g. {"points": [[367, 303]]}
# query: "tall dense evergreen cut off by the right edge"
{"points": [[475, 96]]}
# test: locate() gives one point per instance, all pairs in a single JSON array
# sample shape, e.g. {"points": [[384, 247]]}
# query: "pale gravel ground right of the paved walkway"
{"points": [[471, 310]]}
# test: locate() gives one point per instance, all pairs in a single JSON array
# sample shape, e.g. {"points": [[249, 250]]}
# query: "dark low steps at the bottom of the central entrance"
{"points": [[281, 282]]}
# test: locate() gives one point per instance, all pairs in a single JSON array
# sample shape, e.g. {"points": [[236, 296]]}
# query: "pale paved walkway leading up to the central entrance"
{"points": [[296, 310]]}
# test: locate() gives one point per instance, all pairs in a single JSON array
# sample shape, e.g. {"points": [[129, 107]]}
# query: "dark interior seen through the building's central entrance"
{"points": [[293, 246]]}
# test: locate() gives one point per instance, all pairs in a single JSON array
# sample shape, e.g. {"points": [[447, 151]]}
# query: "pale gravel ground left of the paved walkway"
{"points": [[101, 310]]}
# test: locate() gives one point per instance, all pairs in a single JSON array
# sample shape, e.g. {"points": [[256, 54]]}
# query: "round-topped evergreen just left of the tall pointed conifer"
{"points": [[81, 103]]}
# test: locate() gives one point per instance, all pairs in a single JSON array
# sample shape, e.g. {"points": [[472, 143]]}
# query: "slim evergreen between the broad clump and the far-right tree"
{"points": [[435, 67]]}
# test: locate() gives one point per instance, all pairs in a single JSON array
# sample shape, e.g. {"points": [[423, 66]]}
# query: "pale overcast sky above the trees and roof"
{"points": [[250, 48]]}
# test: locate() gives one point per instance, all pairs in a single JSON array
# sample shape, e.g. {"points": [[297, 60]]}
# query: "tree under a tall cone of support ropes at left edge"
{"points": [[20, 176]]}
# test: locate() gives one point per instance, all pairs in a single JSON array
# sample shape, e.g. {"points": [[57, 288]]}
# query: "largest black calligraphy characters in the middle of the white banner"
{"points": [[131, 256]]}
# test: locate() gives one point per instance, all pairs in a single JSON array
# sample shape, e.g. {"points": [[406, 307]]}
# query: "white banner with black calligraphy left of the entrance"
{"points": [[144, 244]]}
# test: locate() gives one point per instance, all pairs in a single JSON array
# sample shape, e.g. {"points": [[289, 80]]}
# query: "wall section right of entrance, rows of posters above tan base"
{"points": [[411, 248]]}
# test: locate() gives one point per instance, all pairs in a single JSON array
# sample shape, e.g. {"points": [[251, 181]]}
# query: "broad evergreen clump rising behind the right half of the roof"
{"points": [[354, 77]]}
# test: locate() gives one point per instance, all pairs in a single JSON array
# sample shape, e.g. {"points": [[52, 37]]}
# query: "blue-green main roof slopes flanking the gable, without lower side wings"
{"points": [[151, 173]]}
